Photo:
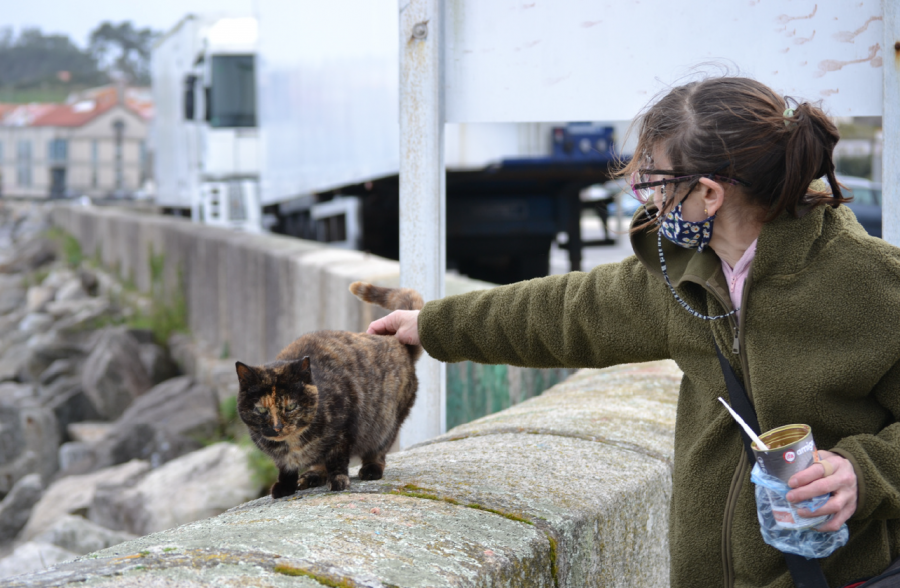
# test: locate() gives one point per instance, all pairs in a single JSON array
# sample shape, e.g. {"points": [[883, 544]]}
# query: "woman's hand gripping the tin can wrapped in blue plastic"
{"points": [[813, 482]]}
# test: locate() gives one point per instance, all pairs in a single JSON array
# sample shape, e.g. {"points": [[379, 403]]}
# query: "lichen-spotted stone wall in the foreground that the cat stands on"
{"points": [[568, 489]]}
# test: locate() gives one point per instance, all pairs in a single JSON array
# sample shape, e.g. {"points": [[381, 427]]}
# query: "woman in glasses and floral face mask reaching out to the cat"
{"points": [[732, 247]]}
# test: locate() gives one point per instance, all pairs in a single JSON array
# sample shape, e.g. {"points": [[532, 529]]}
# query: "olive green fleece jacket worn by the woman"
{"points": [[819, 343]]}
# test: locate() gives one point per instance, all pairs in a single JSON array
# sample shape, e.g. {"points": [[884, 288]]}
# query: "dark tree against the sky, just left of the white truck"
{"points": [[123, 50]]}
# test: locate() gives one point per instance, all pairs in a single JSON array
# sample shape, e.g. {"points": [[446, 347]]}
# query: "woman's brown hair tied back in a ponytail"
{"points": [[740, 128]]}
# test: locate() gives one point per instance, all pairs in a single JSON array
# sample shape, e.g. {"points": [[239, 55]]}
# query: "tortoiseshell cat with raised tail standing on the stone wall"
{"points": [[331, 395]]}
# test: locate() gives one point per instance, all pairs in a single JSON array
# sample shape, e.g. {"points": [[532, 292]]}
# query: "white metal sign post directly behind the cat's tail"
{"points": [[422, 192]]}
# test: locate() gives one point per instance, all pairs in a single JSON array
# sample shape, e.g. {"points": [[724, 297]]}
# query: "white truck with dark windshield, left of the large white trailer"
{"points": [[205, 131]]}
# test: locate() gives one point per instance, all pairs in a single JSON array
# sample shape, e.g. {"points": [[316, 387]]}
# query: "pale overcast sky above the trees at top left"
{"points": [[78, 19]]}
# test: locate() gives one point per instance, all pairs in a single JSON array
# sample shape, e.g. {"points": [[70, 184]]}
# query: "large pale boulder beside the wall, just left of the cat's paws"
{"points": [[193, 487]]}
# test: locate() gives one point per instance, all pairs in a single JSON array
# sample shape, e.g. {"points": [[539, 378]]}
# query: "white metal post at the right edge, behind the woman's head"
{"points": [[890, 123]]}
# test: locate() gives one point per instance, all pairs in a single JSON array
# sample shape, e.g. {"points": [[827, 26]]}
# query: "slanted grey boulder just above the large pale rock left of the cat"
{"points": [[166, 422]]}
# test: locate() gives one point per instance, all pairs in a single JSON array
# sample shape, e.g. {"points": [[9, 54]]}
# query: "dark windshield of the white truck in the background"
{"points": [[232, 97]]}
